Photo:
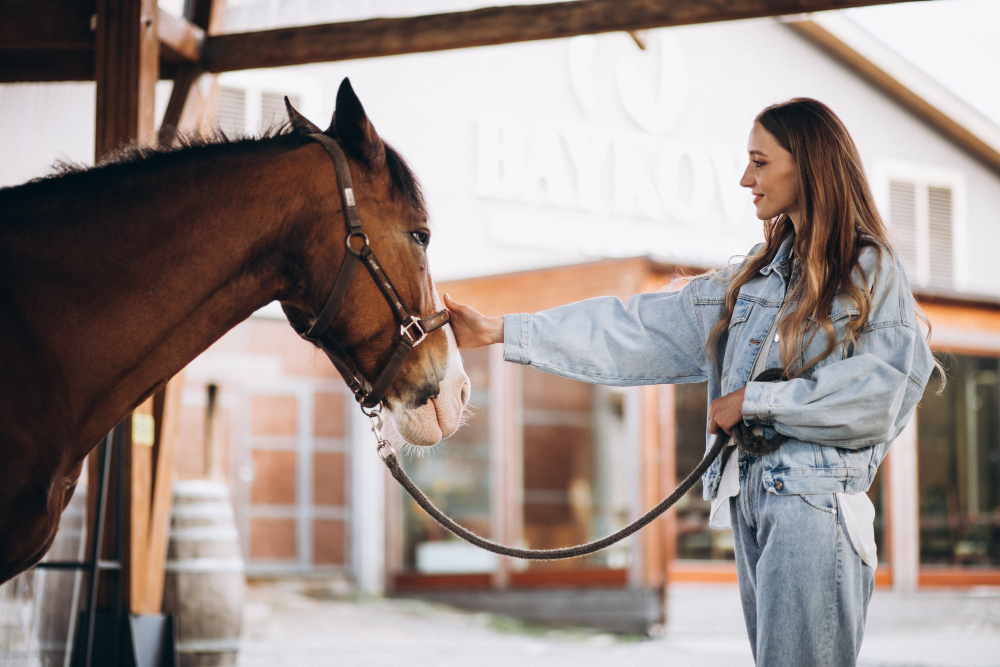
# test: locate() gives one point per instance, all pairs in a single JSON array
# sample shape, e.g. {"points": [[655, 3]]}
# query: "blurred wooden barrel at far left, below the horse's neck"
{"points": [[59, 593]]}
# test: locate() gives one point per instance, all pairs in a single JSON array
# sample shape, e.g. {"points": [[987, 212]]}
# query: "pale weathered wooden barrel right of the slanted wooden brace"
{"points": [[205, 579]]}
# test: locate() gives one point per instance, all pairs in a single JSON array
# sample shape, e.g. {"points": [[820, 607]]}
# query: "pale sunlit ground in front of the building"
{"points": [[308, 624]]}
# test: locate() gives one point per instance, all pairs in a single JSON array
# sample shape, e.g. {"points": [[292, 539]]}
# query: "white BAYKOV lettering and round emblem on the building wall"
{"points": [[626, 158]]}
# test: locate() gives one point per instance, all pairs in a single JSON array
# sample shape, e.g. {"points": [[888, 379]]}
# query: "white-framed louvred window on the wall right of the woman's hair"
{"points": [[923, 207]]}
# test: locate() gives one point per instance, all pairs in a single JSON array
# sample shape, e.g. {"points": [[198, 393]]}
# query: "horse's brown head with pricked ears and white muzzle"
{"points": [[430, 391]]}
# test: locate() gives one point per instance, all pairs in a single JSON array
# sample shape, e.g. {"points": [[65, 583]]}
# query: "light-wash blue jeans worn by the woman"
{"points": [[804, 589]]}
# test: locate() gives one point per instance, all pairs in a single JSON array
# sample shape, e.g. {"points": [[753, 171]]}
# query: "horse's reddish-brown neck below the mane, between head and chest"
{"points": [[151, 272]]}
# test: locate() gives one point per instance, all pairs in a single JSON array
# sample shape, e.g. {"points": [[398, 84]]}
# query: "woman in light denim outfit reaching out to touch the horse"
{"points": [[824, 299]]}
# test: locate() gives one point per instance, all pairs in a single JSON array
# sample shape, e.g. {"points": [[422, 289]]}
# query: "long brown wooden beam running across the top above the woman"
{"points": [[483, 27]]}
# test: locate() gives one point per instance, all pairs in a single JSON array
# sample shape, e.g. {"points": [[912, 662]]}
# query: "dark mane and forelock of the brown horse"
{"points": [[68, 178]]}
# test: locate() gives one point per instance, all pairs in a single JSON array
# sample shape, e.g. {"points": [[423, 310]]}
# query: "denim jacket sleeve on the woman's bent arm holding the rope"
{"points": [[865, 398]]}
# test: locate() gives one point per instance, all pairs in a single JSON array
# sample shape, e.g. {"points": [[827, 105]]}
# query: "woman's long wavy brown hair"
{"points": [[839, 220]]}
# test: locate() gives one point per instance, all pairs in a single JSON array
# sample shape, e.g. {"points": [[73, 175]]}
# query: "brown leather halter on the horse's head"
{"points": [[412, 329]]}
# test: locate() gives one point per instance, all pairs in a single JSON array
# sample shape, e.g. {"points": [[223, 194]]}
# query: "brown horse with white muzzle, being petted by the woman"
{"points": [[113, 278]]}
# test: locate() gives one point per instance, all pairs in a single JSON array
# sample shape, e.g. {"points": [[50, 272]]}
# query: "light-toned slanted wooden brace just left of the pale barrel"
{"points": [[158, 534]]}
